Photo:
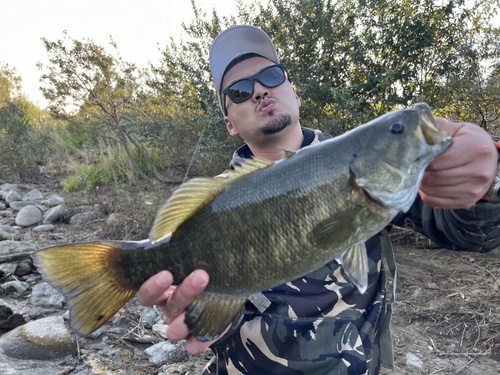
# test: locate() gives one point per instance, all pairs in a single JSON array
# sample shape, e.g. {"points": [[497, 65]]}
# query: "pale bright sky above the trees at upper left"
{"points": [[138, 27]]}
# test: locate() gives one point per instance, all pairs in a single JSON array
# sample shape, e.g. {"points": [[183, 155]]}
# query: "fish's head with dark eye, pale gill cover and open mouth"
{"points": [[394, 151]]}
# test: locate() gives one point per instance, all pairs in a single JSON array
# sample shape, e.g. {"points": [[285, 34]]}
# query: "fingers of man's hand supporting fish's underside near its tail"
{"points": [[173, 301]]}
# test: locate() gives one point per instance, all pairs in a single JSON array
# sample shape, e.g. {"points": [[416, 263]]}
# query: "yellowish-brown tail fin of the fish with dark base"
{"points": [[88, 275]]}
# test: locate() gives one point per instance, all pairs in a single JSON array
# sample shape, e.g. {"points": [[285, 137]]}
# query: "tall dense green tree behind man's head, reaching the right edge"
{"points": [[350, 61]]}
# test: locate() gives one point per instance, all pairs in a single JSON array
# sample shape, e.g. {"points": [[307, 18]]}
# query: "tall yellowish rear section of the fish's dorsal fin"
{"points": [[186, 201]]}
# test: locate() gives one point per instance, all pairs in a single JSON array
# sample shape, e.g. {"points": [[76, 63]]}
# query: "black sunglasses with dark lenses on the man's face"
{"points": [[242, 90]]}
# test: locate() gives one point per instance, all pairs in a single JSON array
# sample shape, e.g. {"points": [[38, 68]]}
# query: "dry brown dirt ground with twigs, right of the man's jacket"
{"points": [[447, 310]]}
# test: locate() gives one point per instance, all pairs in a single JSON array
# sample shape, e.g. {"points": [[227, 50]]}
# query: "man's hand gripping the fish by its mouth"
{"points": [[460, 176]]}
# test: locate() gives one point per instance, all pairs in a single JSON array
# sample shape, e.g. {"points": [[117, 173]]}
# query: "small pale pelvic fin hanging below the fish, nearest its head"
{"points": [[355, 264]]}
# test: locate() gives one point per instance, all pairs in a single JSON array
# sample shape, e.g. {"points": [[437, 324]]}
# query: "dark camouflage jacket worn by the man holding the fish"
{"points": [[320, 324]]}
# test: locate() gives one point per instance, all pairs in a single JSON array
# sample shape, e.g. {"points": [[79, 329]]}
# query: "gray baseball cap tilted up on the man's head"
{"points": [[234, 42]]}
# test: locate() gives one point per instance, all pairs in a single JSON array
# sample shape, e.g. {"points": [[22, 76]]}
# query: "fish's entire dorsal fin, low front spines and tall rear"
{"points": [[194, 194]]}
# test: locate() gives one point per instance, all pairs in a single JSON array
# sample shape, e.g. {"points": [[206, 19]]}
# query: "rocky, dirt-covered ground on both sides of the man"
{"points": [[447, 314]]}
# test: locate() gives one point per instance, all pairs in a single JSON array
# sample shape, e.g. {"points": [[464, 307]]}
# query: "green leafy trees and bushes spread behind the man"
{"points": [[349, 60]]}
